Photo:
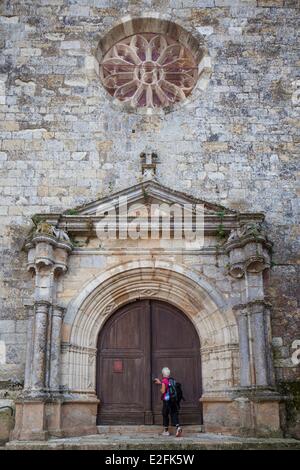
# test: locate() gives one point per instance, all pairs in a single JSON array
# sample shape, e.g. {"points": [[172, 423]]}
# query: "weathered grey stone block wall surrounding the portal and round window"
{"points": [[63, 144]]}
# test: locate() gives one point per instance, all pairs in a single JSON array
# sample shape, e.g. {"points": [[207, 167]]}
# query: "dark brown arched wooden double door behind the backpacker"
{"points": [[133, 346]]}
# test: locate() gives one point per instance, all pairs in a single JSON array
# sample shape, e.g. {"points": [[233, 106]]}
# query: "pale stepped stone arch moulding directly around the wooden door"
{"points": [[213, 320]]}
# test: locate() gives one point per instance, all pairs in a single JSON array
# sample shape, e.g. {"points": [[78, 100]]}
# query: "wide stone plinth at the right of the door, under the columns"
{"points": [[243, 414]]}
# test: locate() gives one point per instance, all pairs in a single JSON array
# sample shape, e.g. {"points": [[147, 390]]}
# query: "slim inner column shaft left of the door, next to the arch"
{"points": [[55, 348]]}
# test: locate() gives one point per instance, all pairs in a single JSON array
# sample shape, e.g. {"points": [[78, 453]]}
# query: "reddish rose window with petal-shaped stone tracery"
{"points": [[149, 70]]}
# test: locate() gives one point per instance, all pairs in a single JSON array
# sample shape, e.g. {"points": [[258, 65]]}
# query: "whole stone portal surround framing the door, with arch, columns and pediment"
{"points": [[233, 328]]}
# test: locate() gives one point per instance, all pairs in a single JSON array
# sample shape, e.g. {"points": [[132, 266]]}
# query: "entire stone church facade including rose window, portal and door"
{"points": [[173, 104]]}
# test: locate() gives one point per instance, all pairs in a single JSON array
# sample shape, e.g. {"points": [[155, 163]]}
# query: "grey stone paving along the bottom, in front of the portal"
{"points": [[151, 440]]}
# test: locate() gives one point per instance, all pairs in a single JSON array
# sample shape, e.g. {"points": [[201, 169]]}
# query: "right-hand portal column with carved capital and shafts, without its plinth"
{"points": [[248, 250]]}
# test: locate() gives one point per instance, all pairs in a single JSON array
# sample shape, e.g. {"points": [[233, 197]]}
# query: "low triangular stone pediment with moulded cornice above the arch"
{"points": [[82, 219]]}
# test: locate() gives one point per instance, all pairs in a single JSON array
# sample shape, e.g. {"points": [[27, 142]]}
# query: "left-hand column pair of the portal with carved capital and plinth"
{"points": [[48, 250]]}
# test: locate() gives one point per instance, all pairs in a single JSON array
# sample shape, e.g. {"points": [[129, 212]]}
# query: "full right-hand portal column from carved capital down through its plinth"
{"points": [[256, 401]]}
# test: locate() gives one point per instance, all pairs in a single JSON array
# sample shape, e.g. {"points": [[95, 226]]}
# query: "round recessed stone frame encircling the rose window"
{"points": [[157, 24]]}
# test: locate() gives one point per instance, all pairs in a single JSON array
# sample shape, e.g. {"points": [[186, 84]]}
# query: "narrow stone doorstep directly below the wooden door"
{"points": [[137, 430]]}
